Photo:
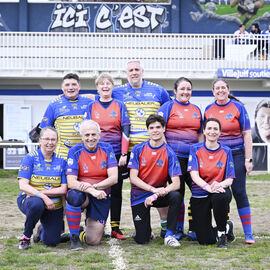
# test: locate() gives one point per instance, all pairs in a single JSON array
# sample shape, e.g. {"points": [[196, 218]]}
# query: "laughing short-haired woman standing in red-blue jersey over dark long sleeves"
{"points": [[112, 116]]}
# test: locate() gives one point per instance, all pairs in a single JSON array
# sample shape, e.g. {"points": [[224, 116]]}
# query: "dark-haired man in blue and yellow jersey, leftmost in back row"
{"points": [[65, 114]]}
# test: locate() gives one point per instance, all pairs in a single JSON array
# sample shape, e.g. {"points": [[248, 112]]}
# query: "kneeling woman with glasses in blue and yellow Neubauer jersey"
{"points": [[42, 182]]}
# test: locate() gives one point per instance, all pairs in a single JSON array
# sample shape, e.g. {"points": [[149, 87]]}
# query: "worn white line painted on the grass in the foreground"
{"points": [[116, 253]]}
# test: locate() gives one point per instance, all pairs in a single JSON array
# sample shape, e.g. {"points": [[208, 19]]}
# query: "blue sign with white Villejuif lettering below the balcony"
{"points": [[243, 73]]}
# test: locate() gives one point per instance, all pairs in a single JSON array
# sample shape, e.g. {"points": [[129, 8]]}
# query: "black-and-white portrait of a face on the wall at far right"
{"points": [[261, 134]]}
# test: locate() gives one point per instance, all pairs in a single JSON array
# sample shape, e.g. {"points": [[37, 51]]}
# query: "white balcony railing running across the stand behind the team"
{"points": [[24, 52]]}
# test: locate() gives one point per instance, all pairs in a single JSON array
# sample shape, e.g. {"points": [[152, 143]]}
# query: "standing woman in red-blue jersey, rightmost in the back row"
{"points": [[236, 134]]}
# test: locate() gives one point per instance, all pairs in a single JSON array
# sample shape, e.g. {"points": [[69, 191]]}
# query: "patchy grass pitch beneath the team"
{"points": [[116, 254]]}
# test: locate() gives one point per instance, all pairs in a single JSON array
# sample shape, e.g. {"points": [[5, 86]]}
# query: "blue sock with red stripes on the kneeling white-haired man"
{"points": [[73, 215]]}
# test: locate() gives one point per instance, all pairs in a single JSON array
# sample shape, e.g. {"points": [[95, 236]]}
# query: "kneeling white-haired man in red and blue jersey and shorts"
{"points": [[91, 171]]}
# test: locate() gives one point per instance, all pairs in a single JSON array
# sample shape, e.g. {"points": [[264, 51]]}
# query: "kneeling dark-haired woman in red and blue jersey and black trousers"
{"points": [[212, 171]]}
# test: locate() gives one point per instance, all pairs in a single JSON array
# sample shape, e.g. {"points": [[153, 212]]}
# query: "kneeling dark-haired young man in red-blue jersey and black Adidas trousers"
{"points": [[152, 163]]}
